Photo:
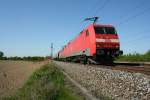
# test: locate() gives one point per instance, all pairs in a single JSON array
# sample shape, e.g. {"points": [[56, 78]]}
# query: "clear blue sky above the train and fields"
{"points": [[28, 27]]}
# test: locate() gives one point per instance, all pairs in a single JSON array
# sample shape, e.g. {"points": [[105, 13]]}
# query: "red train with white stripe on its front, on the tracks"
{"points": [[97, 42]]}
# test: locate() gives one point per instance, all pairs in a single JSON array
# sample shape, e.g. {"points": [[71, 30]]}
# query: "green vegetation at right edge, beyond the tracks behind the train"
{"points": [[135, 57]]}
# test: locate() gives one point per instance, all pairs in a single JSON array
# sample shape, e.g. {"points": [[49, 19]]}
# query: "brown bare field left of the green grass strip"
{"points": [[13, 75]]}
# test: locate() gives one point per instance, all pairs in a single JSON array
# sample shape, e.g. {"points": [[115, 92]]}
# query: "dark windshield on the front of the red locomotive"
{"points": [[105, 30]]}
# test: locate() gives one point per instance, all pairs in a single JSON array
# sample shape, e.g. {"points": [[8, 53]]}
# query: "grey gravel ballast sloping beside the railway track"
{"points": [[114, 84]]}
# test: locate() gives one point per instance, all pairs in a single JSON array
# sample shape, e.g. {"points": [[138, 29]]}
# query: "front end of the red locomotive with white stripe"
{"points": [[107, 42]]}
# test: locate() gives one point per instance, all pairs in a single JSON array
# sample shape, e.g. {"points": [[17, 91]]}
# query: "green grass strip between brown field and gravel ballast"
{"points": [[46, 83]]}
